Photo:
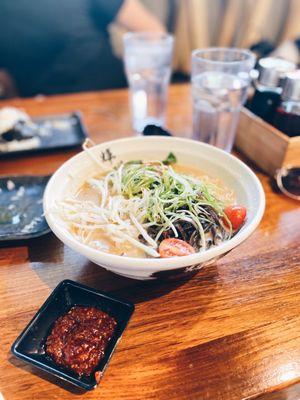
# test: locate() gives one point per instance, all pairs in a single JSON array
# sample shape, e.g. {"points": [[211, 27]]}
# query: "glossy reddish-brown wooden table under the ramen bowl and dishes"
{"points": [[231, 332]]}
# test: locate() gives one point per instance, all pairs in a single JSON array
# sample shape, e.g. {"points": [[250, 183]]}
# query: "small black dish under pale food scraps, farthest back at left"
{"points": [[62, 131]]}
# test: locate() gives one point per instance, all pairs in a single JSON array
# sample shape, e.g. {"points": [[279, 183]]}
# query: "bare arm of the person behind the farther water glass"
{"points": [[134, 16]]}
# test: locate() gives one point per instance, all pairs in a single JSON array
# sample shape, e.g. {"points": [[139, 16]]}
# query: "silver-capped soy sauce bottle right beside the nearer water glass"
{"points": [[268, 86]]}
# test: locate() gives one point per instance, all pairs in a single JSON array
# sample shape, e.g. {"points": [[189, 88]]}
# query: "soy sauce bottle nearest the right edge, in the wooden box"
{"points": [[287, 116]]}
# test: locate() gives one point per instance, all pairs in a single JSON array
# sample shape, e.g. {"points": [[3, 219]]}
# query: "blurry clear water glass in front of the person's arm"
{"points": [[148, 59]]}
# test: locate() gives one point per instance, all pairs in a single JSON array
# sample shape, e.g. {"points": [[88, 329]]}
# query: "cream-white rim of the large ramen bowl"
{"points": [[157, 264]]}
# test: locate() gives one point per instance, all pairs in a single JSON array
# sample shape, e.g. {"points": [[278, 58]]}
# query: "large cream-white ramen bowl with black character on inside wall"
{"points": [[211, 160]]}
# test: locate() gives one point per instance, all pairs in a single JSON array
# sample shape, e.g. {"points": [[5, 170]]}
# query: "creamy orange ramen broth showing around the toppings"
{"points": [[101, 240]]}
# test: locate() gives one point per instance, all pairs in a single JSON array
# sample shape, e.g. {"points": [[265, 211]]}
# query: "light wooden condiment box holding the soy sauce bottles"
{"points": [[265, 145]]}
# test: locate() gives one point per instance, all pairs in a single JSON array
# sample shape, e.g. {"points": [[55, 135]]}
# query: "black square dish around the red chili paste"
{"points": [[29, 346]]}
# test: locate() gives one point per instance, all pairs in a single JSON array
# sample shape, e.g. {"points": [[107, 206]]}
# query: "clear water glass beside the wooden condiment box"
{"points": [[220, 79]]}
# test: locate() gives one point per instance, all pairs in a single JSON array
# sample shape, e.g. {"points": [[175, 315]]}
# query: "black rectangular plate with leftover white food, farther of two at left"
{"points": [[73, 134]]}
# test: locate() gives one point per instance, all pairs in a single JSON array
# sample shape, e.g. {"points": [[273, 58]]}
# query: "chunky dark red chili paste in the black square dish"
{"points": [[79, 338]]}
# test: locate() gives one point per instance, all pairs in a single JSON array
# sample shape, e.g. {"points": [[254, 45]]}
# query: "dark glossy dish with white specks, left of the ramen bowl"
{"points": [[21, 207]]}
